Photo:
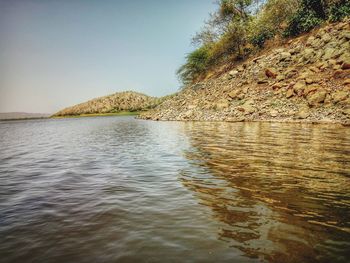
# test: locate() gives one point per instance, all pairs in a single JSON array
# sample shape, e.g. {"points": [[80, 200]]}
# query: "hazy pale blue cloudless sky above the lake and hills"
{"points": [[57, 53]]}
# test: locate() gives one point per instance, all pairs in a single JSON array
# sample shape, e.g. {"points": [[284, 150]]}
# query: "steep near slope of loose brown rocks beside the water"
{"points": [[306, 79]]}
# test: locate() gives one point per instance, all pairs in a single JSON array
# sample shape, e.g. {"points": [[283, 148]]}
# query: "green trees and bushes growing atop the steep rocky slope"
{"points": [[240, 26]]}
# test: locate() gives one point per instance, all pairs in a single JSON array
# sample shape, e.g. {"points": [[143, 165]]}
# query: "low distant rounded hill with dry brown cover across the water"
{"points": [[117, 102]]}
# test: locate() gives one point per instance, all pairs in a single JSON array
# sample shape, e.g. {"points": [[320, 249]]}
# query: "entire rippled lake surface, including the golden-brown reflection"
{"points": [[116, 189]]}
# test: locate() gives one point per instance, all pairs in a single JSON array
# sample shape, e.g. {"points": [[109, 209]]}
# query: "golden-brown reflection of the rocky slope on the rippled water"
{"points": [[282, 191]]}
